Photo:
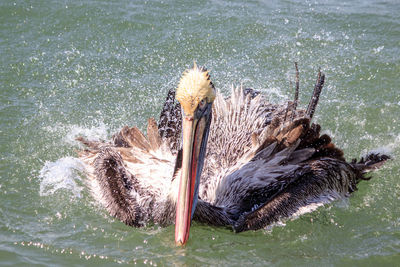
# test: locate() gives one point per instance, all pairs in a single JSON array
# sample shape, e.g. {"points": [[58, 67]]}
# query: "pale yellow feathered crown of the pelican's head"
{"points": [[194, 86]]}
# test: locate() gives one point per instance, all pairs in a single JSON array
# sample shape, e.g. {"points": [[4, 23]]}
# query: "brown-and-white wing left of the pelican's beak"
{"points": [[132, 175]]}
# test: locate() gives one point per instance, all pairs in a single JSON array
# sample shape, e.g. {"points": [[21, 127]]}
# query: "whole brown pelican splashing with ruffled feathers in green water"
{"points": [[263, 162]]}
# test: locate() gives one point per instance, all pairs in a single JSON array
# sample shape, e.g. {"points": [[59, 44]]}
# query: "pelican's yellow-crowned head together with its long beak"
{"points": [[196, 94]]}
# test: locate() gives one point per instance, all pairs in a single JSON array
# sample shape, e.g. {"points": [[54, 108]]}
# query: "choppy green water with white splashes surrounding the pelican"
{"points": [[88, 68]]}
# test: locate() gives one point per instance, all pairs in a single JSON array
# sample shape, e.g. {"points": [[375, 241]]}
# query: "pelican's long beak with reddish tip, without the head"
{"points": [[193, 131]]}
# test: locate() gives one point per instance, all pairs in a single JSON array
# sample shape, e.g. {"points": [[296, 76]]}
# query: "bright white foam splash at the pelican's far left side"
{"points": [[61, 174]]}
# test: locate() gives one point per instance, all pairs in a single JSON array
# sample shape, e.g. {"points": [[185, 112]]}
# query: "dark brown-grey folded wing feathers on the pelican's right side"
{"points": [[295, 169]]}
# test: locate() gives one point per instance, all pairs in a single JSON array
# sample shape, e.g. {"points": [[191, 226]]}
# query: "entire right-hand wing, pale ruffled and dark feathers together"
{"points": [[262, 157]]}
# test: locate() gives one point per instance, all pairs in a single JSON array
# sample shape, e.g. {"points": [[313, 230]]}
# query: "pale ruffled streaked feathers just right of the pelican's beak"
{"points": [[239, 127]]}
